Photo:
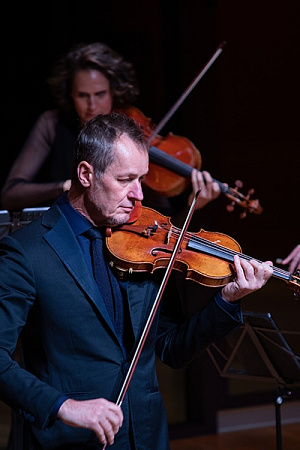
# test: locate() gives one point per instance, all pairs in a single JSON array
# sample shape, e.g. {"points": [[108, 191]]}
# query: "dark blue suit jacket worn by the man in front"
{"points": [[49, 297]]}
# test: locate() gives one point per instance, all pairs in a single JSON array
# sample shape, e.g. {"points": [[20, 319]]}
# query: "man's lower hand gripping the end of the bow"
{"points": [[102, 416]]}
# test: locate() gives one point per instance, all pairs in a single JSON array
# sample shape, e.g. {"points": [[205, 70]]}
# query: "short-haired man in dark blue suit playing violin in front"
{"points": [[77, 349]]}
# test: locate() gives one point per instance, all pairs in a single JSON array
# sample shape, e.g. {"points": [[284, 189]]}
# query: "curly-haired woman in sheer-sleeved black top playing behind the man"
{"points": [[89, 80]]}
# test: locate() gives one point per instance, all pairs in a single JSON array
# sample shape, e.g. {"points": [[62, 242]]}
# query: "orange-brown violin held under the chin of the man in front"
{"points": [[146, 242]]}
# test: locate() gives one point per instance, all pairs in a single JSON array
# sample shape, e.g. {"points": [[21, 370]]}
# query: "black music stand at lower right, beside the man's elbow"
{"points": [[274, 359]]}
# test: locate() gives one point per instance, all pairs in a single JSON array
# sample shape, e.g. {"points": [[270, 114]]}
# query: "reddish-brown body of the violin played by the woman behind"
{"points": [[161, 179]]}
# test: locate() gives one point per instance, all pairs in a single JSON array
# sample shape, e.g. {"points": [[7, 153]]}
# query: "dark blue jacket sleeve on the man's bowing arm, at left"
{"points": [[21, 390]]}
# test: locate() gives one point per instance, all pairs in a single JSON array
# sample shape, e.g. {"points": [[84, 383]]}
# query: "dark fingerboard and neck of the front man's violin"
{"points": [[209, 248]]}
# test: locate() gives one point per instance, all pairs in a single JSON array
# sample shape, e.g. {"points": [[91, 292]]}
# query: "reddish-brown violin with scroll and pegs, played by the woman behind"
{"points": [[172, 160]]}
